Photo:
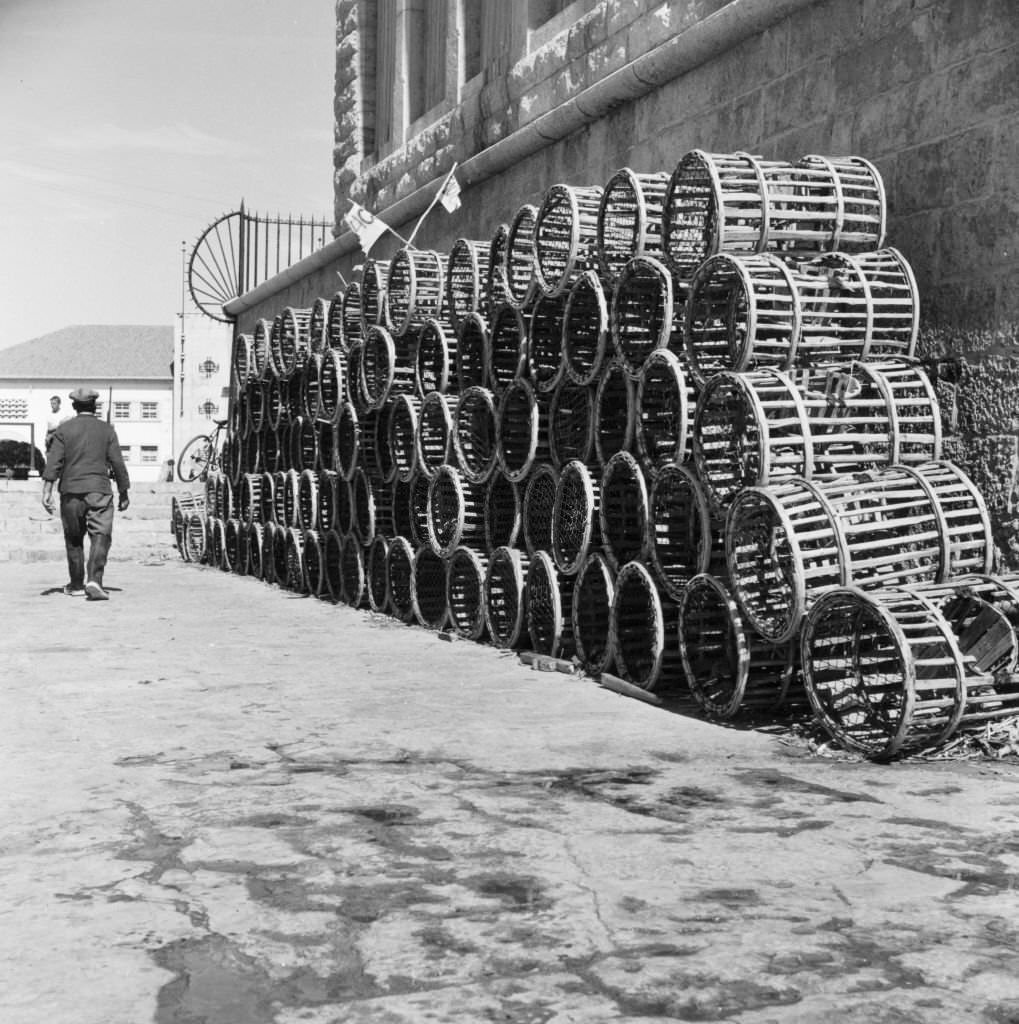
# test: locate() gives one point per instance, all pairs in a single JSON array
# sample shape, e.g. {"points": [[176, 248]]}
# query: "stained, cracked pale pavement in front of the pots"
{"points": [[228, 804]]}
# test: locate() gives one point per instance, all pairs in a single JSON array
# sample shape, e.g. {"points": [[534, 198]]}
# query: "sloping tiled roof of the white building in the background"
{"points": [[93, 352]]}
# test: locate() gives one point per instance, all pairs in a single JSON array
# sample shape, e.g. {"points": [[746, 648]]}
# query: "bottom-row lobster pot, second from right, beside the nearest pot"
{"points": [[731, 671]]}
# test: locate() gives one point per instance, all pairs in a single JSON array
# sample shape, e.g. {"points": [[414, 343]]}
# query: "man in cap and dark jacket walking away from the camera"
{"points": [[83, 453]]}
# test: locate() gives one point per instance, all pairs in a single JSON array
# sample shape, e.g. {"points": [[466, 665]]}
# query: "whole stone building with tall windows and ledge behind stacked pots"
{"points": [[527, 94]]}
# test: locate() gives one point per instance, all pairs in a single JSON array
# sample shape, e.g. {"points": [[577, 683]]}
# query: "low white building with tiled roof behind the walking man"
{"points": [[130, 366]]}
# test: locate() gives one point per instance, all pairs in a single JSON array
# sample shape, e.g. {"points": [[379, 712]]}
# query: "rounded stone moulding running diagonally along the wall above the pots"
{"points": [[728, 28]]}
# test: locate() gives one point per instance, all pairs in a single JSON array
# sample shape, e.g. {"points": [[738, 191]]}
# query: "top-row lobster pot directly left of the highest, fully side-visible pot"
{"points": [[629, 221]]}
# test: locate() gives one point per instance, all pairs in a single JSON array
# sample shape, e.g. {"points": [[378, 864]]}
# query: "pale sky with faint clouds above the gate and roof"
{"points": [[128, 126]]}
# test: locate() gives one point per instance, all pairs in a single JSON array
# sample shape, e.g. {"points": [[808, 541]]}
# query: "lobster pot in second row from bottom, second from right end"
{"points": [[684, 540]]}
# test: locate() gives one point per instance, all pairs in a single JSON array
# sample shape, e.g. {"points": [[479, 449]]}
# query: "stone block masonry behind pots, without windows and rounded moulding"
{"points": [[927, 90]]}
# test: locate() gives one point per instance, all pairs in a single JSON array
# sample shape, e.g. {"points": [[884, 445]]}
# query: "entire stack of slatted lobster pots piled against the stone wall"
{"points": [[671, 430]]}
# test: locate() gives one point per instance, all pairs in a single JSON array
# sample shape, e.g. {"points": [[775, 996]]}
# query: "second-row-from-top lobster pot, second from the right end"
{"points": [[645, 315]]}
